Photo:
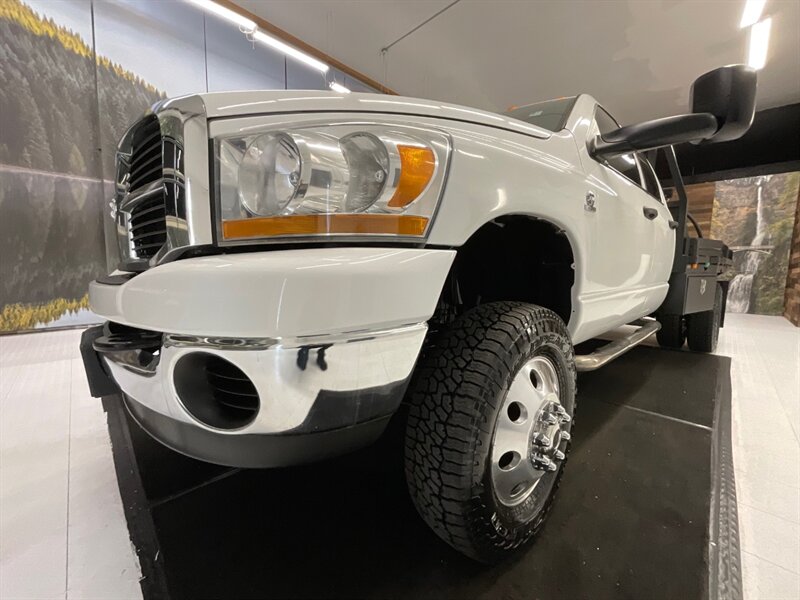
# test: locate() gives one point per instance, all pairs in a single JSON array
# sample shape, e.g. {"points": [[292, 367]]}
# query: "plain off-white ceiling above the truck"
{"points": [[636, 57]]}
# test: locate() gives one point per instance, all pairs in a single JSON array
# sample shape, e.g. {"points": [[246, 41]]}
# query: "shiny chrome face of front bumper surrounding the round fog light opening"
{"points": [[293, 379]]}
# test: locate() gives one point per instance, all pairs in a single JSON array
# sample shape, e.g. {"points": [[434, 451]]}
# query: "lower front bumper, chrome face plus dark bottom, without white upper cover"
{"points": [[345, 388]]}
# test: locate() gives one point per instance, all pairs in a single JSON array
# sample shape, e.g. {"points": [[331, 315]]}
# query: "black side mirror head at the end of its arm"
{"points": [[728, 93]]}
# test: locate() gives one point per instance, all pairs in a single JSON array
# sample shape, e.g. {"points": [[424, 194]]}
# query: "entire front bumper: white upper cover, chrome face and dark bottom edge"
{"points": [[272, 393]]}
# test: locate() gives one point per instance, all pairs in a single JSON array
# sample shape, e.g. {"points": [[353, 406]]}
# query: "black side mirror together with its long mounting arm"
{"points": [[723, 106]]}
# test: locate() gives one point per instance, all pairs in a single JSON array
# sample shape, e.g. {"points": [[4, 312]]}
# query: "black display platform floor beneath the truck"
{"points": [[647, 508]]}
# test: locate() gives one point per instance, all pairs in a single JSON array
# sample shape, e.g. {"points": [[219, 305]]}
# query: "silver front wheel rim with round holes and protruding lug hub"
{"points": [[531, 433]]}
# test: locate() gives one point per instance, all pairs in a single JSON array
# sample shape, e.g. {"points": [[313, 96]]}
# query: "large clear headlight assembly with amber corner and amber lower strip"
{"points": [[333, 180]]}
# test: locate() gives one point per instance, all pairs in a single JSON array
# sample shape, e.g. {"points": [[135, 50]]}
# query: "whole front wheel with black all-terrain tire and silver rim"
{"points": [[488, 428]]}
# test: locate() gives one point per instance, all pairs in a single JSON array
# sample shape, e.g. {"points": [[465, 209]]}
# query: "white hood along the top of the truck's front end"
{"points": [[219, 105]]}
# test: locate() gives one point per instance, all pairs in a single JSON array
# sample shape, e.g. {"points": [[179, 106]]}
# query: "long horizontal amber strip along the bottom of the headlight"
{"points": [[324, 224]]}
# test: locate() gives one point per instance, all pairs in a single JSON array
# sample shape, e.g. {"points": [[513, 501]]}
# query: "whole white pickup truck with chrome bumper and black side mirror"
{"points": [[298, 267]]}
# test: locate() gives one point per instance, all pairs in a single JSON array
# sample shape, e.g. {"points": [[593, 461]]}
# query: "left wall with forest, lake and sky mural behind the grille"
{"points": [[73, 75]]}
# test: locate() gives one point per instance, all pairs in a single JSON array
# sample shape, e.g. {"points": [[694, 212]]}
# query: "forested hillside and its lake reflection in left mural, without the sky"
{"points": [[51, 169]]}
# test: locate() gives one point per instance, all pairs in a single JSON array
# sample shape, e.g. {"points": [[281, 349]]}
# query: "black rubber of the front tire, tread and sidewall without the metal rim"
{"points": [[450, 406]]}
